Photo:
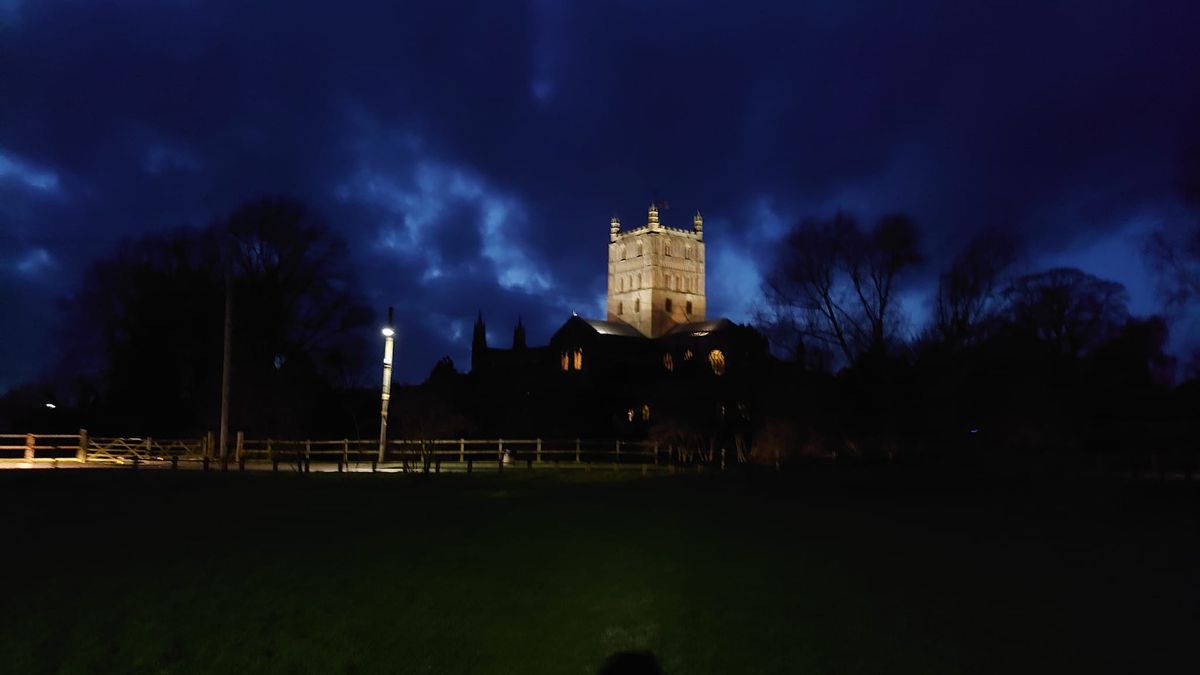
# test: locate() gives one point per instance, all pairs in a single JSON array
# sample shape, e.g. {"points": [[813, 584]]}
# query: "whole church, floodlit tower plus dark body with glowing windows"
{"points": [[655, 360]]}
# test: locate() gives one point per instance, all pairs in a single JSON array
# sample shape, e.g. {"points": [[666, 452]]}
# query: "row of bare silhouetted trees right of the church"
{"points": [[1048, 365]]}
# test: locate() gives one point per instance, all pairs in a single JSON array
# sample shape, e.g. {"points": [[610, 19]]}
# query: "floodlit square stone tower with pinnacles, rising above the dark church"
{"points": [[657, 274]]}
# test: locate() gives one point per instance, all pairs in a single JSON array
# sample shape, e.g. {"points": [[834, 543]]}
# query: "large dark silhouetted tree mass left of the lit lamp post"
{"points": [[146, 328]]}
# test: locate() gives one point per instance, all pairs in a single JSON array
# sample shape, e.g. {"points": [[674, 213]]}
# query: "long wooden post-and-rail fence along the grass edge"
{"points": [[428, 456]]}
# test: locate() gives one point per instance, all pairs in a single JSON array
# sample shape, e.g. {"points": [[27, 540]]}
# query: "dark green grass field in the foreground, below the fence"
{"points": [[158, 572]]}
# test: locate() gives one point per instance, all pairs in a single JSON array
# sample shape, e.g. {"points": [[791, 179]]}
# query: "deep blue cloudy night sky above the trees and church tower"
{"points": [[473, 153]]}
